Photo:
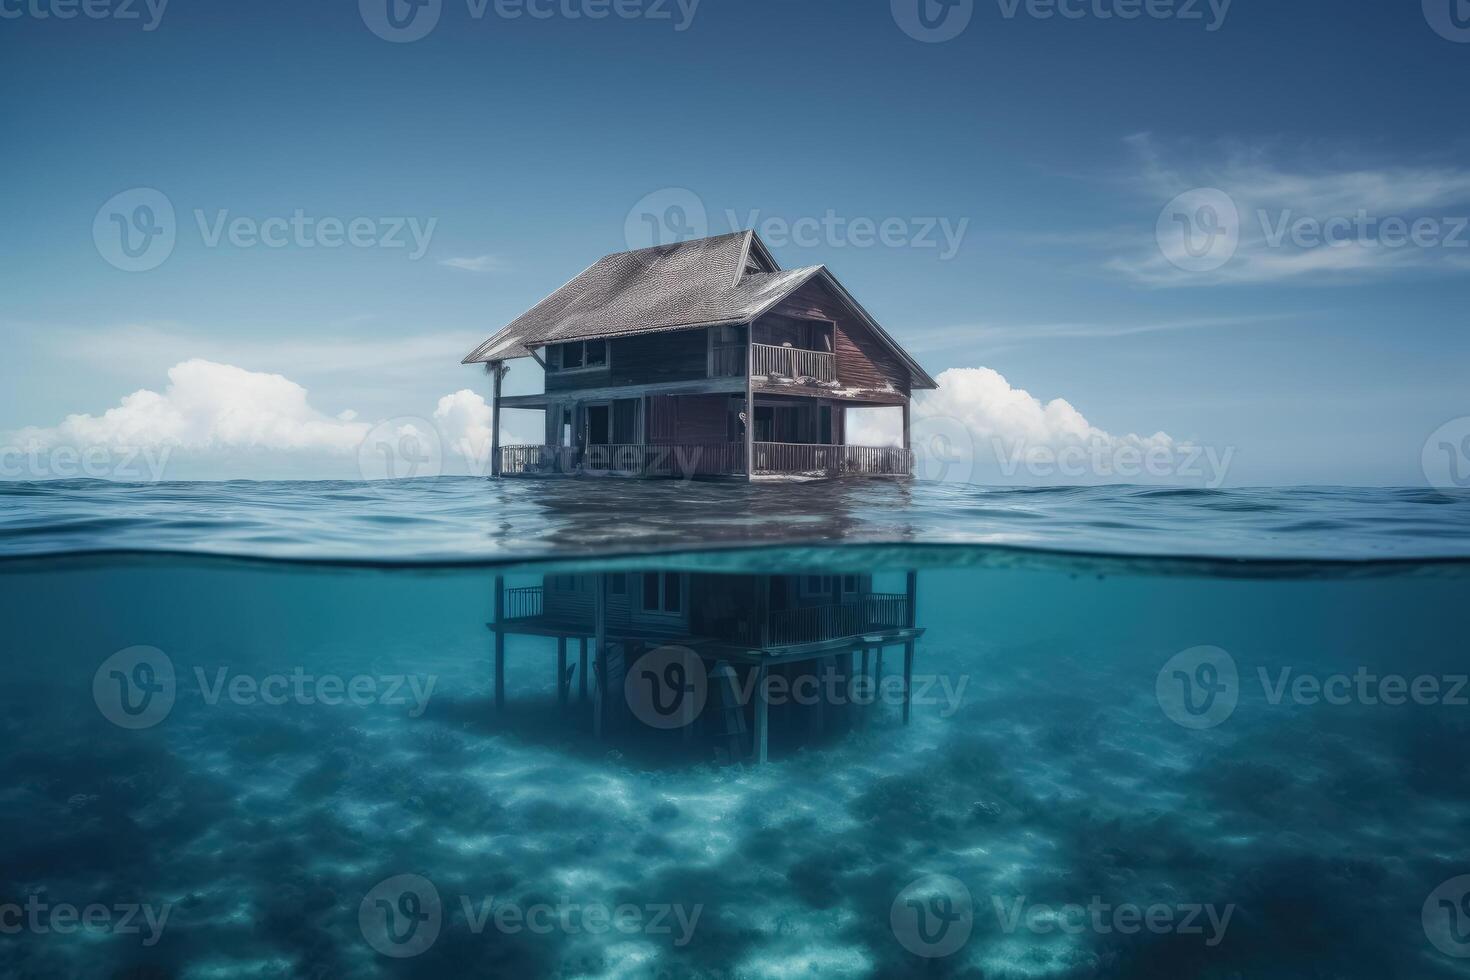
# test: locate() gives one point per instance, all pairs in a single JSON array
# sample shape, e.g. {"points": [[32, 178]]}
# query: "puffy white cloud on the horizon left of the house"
{"points": [[208, 408]]}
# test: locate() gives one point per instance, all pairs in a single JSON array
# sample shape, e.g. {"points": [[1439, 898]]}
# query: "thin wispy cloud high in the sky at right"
{"points": [[1327, 220]]}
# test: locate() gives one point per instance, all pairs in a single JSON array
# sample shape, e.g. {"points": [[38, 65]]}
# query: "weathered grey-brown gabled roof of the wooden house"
{"points": [[703, 283]]}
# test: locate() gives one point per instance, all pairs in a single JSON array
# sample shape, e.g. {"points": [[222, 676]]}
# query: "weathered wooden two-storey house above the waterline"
{"points": [[702, 359]]}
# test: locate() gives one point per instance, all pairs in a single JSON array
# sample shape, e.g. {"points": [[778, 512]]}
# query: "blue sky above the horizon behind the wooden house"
{"points": [[1049, 146]]}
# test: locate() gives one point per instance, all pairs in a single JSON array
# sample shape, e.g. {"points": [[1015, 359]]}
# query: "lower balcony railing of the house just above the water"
{"points": [[705, 459]]}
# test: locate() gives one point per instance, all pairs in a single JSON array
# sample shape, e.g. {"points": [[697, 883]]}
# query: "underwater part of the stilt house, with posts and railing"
{"points": [[728, 640]]}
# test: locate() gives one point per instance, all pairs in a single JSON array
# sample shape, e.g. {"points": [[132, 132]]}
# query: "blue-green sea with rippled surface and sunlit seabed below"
{"points": [[254, 731]]}
